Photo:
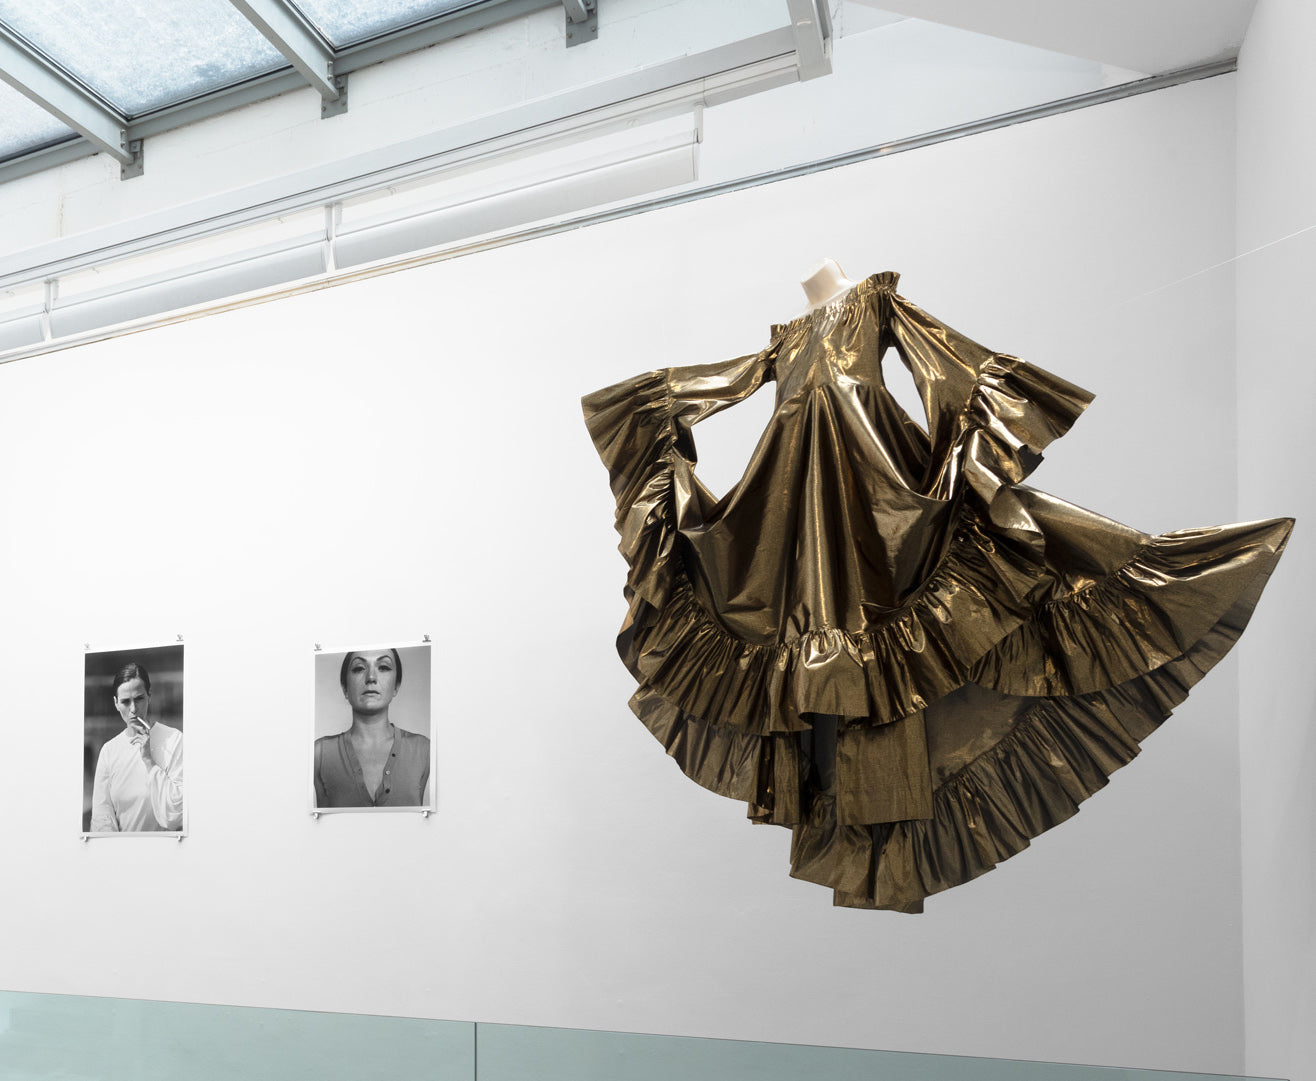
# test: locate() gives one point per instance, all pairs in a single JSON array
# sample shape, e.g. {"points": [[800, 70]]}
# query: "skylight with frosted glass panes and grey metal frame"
{"points": [[106, 74]]}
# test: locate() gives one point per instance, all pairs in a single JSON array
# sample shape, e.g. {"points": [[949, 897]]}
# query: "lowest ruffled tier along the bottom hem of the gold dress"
{"points": [[1056, 755]]}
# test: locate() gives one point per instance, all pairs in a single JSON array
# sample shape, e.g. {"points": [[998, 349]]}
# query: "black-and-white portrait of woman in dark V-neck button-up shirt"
{"points": [[373, 750]]}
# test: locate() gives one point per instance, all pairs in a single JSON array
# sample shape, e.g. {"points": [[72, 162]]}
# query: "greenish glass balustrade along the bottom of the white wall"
{"points": [[73, 1038]]}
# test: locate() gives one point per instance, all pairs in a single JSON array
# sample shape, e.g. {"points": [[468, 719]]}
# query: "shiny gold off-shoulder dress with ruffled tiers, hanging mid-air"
{"points": [[880, 639]]}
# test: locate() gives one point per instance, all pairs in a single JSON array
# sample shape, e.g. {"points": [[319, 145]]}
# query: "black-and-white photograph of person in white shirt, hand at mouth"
{"points": [[134, 742]]}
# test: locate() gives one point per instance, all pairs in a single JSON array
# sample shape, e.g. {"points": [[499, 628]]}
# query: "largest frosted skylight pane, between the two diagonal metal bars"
{"points": [[145, 55]]}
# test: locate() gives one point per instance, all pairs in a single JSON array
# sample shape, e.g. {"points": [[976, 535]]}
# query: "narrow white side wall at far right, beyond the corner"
{"points": [[1277, 385]]}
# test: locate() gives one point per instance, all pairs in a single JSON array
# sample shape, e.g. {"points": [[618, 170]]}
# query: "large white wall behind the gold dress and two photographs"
{"points": [[406, 456]]}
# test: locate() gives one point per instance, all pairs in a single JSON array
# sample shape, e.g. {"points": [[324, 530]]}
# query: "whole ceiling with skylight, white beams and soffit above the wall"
{"points": [[84, 77]]}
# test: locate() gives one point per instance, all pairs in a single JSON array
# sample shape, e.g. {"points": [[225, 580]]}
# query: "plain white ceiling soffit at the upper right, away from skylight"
{"points": [[1150, 36]]}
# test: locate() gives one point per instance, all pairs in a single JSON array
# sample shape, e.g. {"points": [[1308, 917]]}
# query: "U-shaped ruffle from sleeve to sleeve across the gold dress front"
{"points": [[980, 593]]}
